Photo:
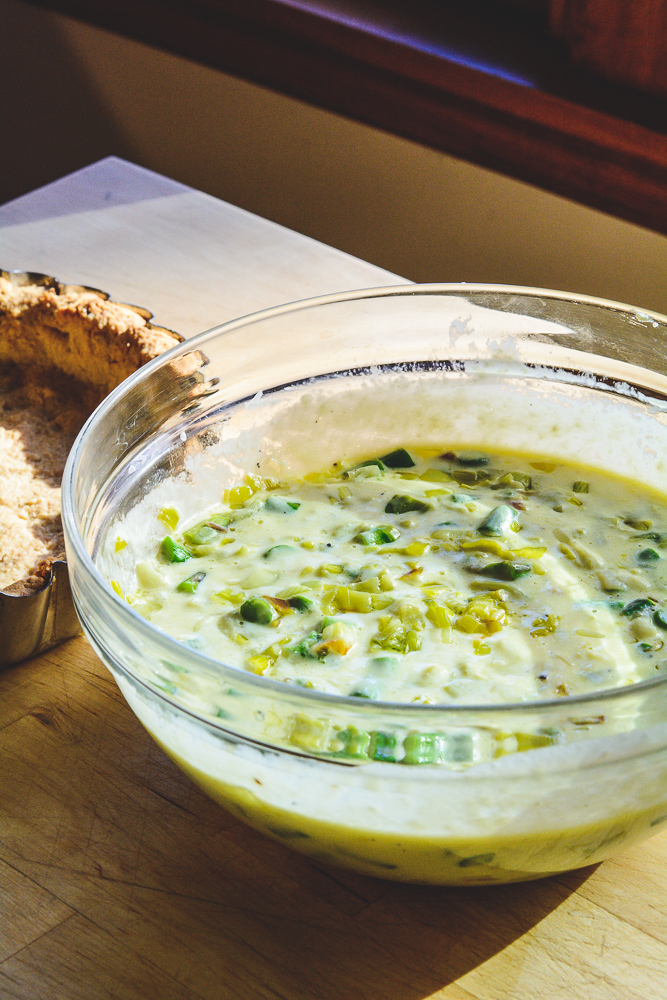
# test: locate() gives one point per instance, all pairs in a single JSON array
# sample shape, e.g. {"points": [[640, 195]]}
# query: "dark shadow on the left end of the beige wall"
{"points": [[52, 121]]}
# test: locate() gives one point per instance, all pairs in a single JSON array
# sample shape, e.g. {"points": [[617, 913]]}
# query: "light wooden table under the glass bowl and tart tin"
{"points": [[118, 879]]}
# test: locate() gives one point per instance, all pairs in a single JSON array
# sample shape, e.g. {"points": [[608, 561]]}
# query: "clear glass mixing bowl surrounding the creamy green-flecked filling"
{"points": [[448, 794]]}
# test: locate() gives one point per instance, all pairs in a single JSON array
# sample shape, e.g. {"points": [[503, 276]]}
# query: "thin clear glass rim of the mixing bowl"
{"points": [[310, 698]]}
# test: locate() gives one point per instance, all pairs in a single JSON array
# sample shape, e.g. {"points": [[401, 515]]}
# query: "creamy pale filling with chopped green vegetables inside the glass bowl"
{"points": [[462, 576]]}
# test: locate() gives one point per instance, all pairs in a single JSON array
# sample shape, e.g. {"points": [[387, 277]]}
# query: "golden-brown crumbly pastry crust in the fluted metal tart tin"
{"points": [[61, 352]]}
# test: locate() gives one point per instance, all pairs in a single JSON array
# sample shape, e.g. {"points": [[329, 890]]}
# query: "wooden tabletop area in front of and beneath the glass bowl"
{"points": [[120, 879]]}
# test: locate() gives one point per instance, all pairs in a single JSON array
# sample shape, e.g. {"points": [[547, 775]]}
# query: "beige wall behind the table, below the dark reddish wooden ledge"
{"points": [[79, 93]]}
